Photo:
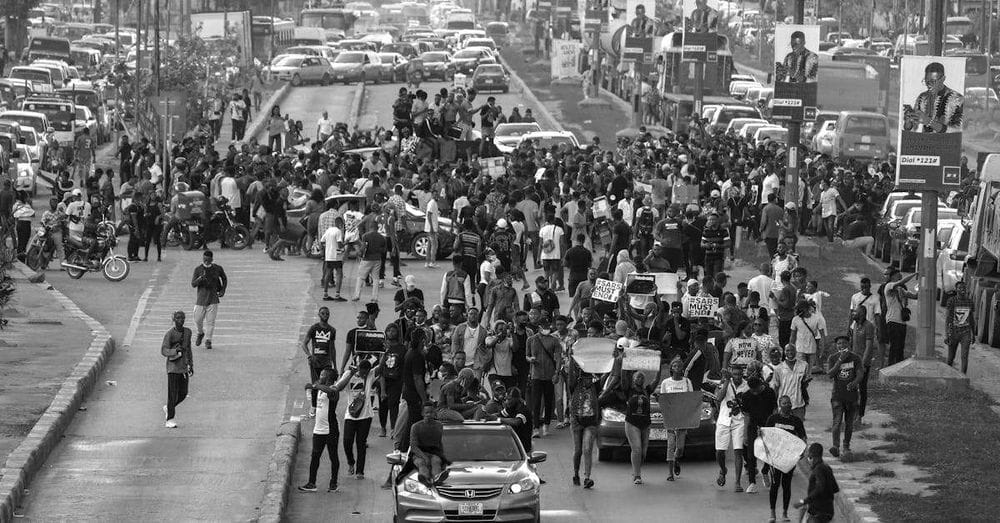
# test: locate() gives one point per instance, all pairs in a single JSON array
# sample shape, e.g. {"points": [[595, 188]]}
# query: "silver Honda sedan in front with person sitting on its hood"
{"points": [[491, 478]]}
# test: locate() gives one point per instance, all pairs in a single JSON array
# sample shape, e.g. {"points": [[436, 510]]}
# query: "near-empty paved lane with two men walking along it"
{"points": [[117, 461]]}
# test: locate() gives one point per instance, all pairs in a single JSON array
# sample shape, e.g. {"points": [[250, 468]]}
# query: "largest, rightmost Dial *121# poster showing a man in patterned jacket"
{"points": [[930, 123]]}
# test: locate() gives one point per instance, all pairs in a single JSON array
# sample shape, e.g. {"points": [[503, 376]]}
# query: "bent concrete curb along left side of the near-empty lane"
{"points": [[25, 460]]}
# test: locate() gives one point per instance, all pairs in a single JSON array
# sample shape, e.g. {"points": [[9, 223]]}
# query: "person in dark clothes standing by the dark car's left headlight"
{"points": [[583, 419]]}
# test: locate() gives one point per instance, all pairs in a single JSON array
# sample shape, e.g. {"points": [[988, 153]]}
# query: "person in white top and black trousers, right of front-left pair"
{"points": [[358, 417]]}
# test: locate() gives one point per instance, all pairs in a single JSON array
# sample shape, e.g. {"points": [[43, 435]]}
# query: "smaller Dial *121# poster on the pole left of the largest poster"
{"points": [[796, 71]]}
